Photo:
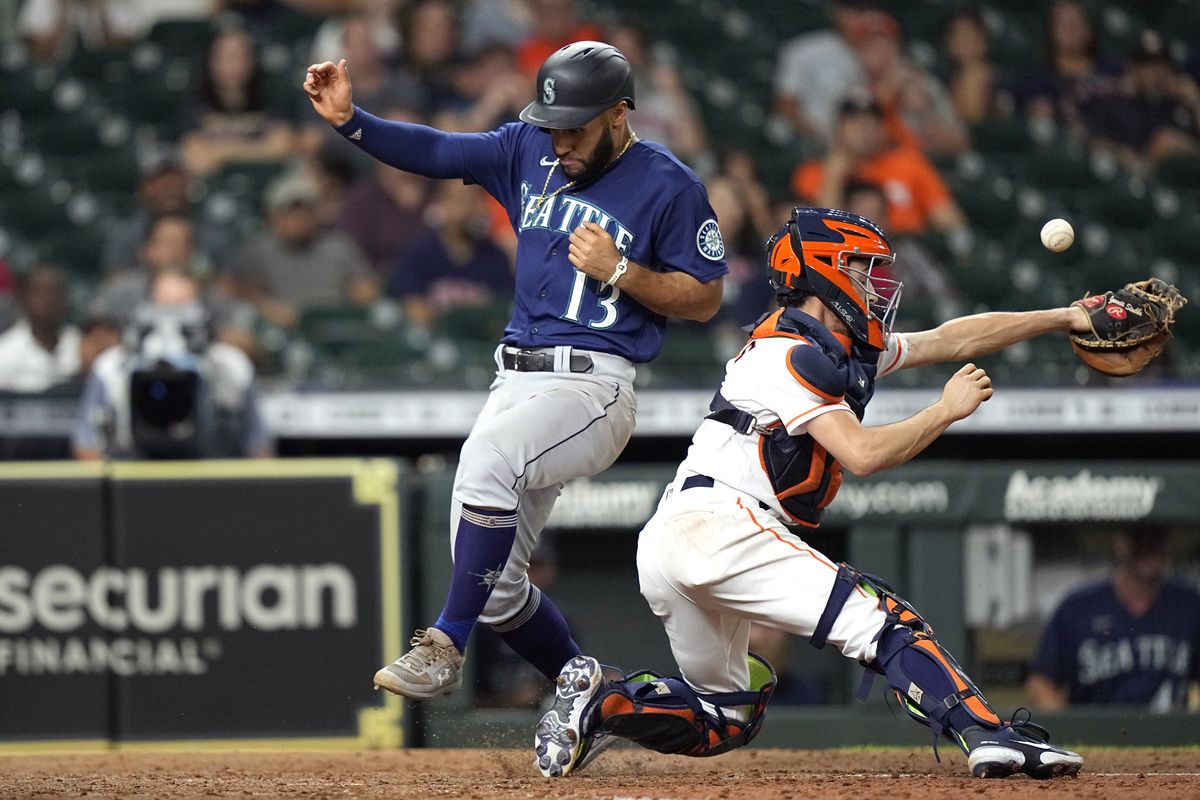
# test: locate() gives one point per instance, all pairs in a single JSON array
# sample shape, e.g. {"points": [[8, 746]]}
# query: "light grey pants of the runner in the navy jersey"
{"points": [[537, 432]]}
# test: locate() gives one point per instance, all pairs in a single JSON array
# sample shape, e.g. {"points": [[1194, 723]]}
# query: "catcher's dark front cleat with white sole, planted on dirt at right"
{"points": [[1021, 747]]}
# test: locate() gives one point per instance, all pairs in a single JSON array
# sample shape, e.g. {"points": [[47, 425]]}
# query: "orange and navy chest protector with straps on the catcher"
{"points": [[803, 476]]}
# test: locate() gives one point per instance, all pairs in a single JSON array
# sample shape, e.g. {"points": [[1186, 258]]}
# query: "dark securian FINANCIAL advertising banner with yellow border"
{"points": [[203, 601]]}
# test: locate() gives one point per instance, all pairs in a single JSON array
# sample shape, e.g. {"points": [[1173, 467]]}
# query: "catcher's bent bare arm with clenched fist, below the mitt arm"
{"points": [[867, 450]]}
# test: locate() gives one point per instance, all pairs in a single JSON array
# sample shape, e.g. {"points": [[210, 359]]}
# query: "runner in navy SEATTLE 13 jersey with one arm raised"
{"points": [[614, 237]]}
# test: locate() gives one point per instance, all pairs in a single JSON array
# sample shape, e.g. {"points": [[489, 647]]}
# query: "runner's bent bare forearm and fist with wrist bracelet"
{"points": [[671, 294]]}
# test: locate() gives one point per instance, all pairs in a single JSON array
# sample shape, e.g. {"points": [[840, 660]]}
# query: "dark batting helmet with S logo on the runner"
{"points": [[579, 82]]}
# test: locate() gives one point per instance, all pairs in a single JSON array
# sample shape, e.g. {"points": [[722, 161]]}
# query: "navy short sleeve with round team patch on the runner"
{"points": [[688, 238]]}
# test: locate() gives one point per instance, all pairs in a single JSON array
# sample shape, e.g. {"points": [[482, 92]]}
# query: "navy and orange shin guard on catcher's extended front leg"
{"points": [[927, 681]]}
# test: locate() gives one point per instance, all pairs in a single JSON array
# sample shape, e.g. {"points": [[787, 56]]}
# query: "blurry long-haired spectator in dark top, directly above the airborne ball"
{"points": [[1075, 73]]}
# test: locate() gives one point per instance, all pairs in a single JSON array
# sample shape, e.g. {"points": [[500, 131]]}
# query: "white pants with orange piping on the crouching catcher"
{"points": [[713, 551]]}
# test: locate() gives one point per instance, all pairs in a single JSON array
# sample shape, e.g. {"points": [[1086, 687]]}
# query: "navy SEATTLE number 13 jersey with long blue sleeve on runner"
{"points": [[656, 209]]}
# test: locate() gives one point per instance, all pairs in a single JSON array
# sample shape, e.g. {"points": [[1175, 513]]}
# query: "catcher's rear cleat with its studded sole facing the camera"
{"points": [[561, 744]]}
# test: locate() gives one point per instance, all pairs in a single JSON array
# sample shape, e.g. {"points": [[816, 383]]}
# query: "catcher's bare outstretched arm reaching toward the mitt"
{"points": [[970, 338]]}
